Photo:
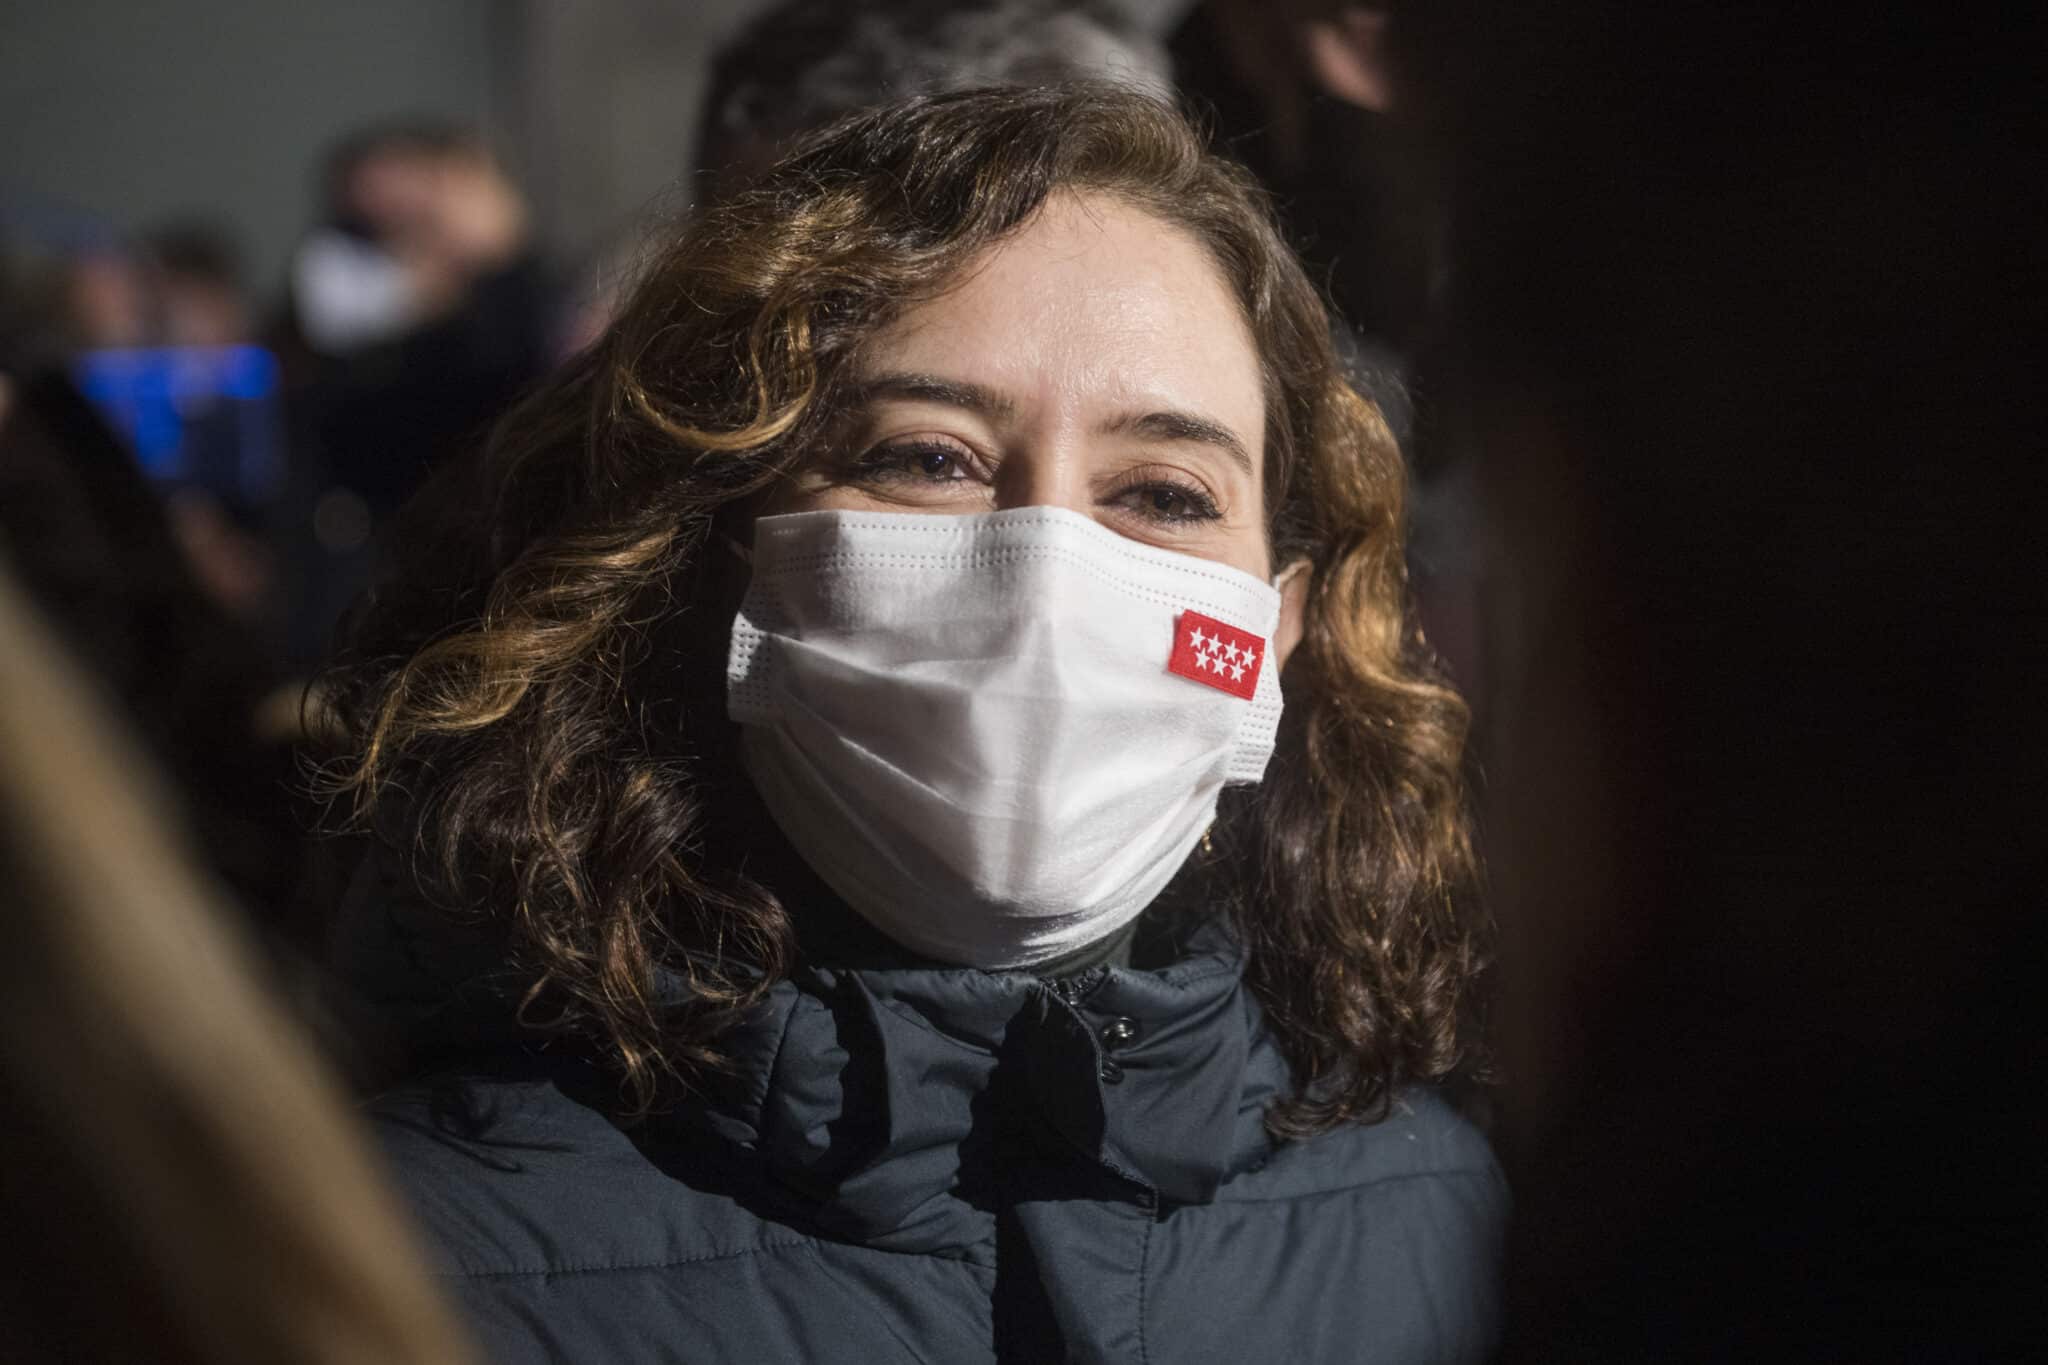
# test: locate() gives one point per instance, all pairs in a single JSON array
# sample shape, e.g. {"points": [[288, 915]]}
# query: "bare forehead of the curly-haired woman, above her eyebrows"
{"points": [[1091, 304]]}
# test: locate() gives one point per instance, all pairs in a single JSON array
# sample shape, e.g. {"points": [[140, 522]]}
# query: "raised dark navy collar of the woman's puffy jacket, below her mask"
{"points": [[876, 1094]]}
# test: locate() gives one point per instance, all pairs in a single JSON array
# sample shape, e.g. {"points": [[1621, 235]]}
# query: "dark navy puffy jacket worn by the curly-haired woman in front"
{"points": [[953, 1165]]}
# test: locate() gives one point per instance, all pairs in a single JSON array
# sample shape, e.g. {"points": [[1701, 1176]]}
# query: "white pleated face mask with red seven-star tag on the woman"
{"points": [[996, 736]]}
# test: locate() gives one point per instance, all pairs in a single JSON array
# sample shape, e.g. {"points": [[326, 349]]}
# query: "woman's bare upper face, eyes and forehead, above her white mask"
{"points": [[1095, 361]]}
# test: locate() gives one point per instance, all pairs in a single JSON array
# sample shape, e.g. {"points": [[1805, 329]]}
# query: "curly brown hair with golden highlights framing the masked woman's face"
{"points": [[536, 705]]}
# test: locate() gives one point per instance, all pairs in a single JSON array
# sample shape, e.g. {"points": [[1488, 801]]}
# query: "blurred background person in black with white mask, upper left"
{"points": [[419, 310]]}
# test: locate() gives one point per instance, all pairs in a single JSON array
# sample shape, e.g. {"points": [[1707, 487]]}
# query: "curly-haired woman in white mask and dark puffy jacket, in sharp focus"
{"points": [[923, 832]]}
